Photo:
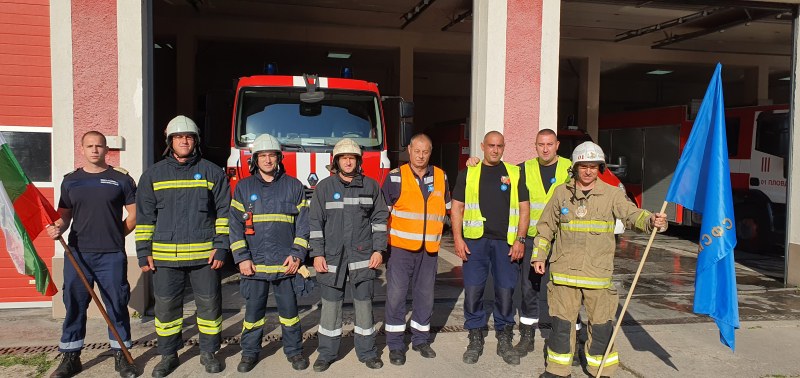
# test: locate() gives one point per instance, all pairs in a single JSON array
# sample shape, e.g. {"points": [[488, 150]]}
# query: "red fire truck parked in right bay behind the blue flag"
{"points": [[645, 147]]}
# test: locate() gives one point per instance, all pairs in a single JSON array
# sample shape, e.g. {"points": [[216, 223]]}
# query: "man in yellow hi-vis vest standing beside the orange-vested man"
{"points": [[490, 220]]}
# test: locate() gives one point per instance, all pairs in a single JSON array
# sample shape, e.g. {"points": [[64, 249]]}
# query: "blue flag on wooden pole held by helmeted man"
{"points": [[702, 183]]}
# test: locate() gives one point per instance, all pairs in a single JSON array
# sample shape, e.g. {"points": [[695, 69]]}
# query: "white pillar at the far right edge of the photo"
{"points": [[792, 268]]}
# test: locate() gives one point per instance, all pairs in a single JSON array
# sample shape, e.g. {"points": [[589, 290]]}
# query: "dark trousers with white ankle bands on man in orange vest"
{"points": [[416, 270]]}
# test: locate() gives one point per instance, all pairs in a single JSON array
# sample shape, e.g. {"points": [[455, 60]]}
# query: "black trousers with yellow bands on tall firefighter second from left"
{"points": [[168, 288]]}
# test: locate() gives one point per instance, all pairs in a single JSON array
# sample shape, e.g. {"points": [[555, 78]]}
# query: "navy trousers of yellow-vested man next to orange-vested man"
{"points": [[489, 254]]}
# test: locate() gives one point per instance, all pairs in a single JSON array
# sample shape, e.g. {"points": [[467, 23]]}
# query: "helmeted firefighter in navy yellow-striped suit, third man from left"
{"points": [[269, 239]]}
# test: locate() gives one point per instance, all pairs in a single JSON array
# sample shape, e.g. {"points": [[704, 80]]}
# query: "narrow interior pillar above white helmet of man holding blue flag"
{"points": [[589, 95]]}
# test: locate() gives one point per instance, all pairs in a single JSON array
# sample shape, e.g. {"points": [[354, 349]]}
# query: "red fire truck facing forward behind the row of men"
{"points": [[308, 115]]}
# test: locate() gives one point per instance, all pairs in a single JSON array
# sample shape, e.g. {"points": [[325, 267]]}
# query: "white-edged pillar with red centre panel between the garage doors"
{"points": [[514, 72]]}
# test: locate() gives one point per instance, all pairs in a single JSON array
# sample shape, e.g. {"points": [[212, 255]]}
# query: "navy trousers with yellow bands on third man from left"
{"points": [[255, 293]]}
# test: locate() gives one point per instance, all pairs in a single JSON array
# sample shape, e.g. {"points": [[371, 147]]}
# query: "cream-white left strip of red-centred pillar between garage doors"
{"points": [[488, 70]]}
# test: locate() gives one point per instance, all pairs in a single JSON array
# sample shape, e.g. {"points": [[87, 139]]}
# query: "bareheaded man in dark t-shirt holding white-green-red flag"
{"points": [[92, 199]]}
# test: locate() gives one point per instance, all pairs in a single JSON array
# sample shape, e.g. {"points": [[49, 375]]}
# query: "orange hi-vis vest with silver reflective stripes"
{"points": [[413, 219]]}
